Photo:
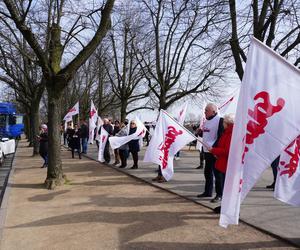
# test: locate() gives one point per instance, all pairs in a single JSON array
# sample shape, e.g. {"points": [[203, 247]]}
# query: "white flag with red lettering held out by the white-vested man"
{"points": [[168, 138]]}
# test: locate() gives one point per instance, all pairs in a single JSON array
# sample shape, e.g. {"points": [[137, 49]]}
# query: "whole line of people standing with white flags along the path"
{"points": [[215, 131]]}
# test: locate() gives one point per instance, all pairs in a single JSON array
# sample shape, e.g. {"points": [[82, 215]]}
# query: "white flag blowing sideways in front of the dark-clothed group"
{"points": [[116, 142]]}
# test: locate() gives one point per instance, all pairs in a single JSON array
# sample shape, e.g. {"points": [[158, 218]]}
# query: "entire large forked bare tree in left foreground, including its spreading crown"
{"points": [[47, 25]]}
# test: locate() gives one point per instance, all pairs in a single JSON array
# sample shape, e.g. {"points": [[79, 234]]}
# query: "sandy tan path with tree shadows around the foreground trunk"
{"points": [[101, 208]]}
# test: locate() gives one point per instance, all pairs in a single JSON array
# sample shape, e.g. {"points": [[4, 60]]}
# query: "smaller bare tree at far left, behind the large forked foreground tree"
{"points": [[25, 78]]}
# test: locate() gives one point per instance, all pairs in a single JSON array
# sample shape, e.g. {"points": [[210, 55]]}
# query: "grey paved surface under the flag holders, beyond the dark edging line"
{"points": [[259, 209]]}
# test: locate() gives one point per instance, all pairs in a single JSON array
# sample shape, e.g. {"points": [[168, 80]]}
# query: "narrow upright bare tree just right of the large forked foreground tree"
{"points": [[122, 67]]}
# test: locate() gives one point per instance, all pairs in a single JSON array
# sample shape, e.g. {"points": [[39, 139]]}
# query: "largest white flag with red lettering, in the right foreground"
{"points": [[266, 122]]}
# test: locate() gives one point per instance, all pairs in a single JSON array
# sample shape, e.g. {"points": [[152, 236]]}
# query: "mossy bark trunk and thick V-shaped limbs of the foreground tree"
{"points": [[57, 79]]}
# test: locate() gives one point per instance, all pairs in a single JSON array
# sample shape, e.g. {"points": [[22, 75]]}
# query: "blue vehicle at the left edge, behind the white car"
{"points": [[11, 124]]}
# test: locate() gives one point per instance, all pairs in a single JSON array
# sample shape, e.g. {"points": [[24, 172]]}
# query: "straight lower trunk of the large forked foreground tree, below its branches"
{"points": [[55, 173]]}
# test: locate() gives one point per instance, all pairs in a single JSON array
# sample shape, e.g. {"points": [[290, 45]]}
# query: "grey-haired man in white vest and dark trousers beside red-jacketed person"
{"points": [[211, 132]]}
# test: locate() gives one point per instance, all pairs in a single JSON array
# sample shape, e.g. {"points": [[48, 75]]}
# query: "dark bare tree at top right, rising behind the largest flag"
{"points": [[274, 22]]}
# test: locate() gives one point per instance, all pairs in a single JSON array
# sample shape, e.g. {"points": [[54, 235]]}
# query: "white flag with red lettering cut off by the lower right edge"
{"points": [[287, 187]]}
